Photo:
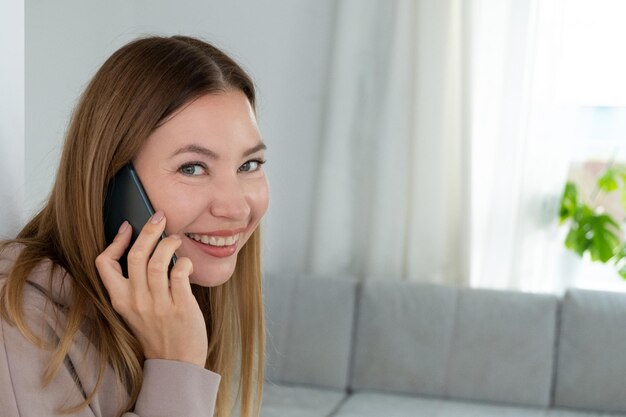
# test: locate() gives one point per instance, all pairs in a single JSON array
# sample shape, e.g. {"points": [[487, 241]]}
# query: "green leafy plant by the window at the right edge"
{"points": [[591, 229]]}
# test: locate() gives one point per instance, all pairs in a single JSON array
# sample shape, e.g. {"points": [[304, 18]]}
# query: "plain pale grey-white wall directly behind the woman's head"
{"points": [[285, 45]]}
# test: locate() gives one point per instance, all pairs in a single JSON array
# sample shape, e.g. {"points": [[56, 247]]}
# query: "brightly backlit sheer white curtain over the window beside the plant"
{"points": [[519, 161]]}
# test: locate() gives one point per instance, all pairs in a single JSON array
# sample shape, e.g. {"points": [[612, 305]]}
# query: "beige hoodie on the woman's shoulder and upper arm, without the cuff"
{"points": [[27, 348]]}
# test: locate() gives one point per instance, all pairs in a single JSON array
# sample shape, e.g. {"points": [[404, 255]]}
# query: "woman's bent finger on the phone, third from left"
{"points": [[158, 266]]}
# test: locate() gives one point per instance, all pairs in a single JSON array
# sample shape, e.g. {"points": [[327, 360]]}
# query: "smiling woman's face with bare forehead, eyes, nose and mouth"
{"points": [[203, 168]]}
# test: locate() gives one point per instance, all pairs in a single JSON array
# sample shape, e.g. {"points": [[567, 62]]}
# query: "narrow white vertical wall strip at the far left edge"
{"points": [[11, 116]]}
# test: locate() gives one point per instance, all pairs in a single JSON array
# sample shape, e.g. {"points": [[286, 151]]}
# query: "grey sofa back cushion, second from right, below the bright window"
{"points": [[503, 347]]}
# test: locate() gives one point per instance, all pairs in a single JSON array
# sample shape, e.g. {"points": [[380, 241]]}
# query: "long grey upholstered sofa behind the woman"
{"points": [[389, 348]]}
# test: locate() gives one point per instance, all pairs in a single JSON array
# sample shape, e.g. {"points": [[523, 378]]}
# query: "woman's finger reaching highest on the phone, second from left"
{"points": [[140, 252]]}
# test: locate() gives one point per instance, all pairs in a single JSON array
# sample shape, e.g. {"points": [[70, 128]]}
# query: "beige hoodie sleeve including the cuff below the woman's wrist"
{"points": [[169, 388]]}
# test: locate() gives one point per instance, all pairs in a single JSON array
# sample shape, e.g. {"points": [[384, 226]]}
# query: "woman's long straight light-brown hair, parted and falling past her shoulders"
{"points": [[137, 88]]}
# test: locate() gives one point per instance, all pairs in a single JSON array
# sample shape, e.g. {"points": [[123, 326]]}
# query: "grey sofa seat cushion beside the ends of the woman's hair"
{"points": [[299, 401]]}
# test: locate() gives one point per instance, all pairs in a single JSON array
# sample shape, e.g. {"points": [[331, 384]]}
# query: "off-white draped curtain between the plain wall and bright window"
{"points": [[392, 188]]}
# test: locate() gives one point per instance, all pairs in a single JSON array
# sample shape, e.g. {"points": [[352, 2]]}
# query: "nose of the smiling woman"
{"points": [[228, 200]]}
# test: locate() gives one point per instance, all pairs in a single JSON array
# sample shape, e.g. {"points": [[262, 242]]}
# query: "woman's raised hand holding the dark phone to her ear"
{"points": [[164, 316]]}
